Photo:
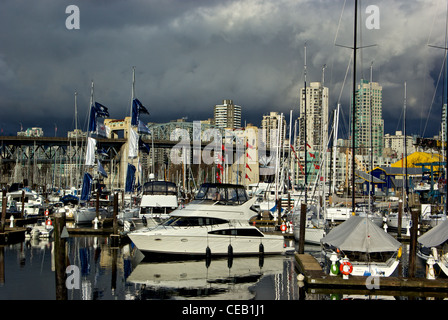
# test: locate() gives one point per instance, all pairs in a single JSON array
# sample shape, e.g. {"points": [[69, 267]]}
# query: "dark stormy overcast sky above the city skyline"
{"points": [[191, 54]]}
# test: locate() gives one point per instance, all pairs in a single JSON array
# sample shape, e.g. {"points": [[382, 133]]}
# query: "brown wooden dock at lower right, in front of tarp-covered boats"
{"points": [[315, 277]]}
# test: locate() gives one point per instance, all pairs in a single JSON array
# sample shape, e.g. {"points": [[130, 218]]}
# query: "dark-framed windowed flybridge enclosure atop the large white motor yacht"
{"points": [[223, 193]]}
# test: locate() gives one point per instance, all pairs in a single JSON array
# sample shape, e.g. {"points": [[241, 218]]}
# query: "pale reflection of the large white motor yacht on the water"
{"points": [[219, 279]]}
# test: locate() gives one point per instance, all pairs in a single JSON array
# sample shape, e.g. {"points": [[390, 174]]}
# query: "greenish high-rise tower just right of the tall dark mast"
{"points": [[369, 122]]}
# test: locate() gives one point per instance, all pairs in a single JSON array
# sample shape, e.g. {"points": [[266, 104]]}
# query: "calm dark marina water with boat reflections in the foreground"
{"points": [[118, 274]]}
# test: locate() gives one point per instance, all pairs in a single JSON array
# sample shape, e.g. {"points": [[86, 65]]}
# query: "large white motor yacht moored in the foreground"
{"points": [[216, 222]]}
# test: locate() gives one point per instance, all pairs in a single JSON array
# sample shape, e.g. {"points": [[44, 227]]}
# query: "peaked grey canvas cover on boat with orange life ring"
{"points": [[362, 235]]}
